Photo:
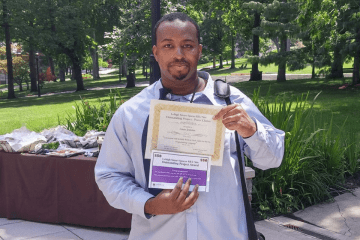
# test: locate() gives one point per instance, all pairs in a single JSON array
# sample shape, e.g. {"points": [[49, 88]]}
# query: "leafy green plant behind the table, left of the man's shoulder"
{"points": [[89, 117]]}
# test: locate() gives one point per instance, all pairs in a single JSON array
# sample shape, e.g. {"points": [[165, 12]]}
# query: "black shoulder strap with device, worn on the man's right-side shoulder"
{"points": [[222, 90]]}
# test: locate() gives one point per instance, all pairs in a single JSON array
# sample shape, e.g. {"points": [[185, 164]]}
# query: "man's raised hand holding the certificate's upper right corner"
{"points": [[234, 117]]}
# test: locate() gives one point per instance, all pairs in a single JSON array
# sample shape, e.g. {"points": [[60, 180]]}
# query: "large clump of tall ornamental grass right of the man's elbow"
{"points": [[315, 161]]}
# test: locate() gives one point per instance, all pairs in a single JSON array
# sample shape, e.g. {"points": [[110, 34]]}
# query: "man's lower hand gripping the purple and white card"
{"points": [[172, 201]]}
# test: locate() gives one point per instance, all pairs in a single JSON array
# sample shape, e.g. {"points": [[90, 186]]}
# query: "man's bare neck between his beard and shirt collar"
{"points": [[184, 87]]}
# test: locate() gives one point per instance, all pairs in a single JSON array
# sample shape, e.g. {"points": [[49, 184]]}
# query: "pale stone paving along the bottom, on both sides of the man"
{"points": [[338, 220]]}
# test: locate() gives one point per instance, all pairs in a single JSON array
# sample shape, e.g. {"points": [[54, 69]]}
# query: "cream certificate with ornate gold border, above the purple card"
{"points": [[185, 128]]}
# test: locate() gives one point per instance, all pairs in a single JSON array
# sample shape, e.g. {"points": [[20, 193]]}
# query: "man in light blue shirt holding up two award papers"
{"points": [[122, 172]]}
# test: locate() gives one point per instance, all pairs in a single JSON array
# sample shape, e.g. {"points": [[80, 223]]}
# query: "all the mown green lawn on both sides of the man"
{"points": [[39, 113]]}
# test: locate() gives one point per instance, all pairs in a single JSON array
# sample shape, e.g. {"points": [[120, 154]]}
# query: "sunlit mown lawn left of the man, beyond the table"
{"points": [[40, 113]]}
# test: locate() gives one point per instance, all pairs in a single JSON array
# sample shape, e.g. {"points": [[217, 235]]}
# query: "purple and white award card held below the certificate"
{"points": [[167, 167]]}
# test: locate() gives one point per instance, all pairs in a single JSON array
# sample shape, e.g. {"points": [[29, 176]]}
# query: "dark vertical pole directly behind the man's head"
{"points": [[155, 16]]}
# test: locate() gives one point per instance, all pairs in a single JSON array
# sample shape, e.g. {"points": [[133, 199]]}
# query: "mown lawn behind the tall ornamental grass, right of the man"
{"points": [[341, 104]]}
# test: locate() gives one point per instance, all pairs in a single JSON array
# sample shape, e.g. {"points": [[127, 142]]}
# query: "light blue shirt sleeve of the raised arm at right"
{"points": [[266, 147]]}
